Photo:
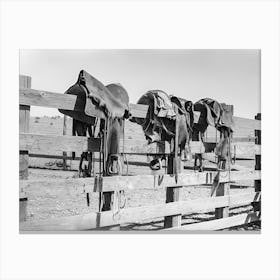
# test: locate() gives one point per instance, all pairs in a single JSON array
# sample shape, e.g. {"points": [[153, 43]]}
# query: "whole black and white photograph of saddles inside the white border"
{"points": [[140, 140]]}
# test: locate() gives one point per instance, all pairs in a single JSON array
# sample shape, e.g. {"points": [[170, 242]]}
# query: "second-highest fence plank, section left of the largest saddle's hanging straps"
{"points": [[37, 143]]}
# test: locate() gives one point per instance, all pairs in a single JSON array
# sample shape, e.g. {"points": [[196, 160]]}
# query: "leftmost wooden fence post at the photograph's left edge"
{"points": [[24, 117]]}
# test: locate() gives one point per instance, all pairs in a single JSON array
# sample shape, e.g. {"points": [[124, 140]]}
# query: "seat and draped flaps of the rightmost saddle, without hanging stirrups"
{"points": [[215, 114]]}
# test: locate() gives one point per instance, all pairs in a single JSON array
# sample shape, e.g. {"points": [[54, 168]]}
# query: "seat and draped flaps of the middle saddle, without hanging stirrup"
{"points": [[159, 124]]}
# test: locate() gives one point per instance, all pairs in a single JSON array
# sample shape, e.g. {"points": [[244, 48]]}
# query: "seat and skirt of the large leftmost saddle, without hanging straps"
{"points": [[96, 100]]}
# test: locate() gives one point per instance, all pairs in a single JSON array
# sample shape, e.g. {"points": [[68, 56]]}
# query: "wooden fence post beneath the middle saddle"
{"points": [[173, 194]]}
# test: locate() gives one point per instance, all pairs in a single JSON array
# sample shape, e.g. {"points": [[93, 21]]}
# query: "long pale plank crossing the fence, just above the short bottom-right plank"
{"points": [[138, 214]]}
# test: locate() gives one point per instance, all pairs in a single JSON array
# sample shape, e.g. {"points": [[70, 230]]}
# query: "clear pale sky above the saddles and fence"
{"points": [[229, 76]]}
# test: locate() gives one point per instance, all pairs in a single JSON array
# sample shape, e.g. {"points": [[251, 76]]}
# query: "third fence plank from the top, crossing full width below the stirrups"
{"points": [[63, 187]]}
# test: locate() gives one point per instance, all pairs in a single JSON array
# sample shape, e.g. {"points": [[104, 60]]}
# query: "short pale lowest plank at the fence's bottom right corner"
{"points": [[222, 223]]}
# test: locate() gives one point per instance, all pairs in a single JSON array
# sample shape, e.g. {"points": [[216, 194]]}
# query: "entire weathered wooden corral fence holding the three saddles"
{"points": [[172, 210]]}
